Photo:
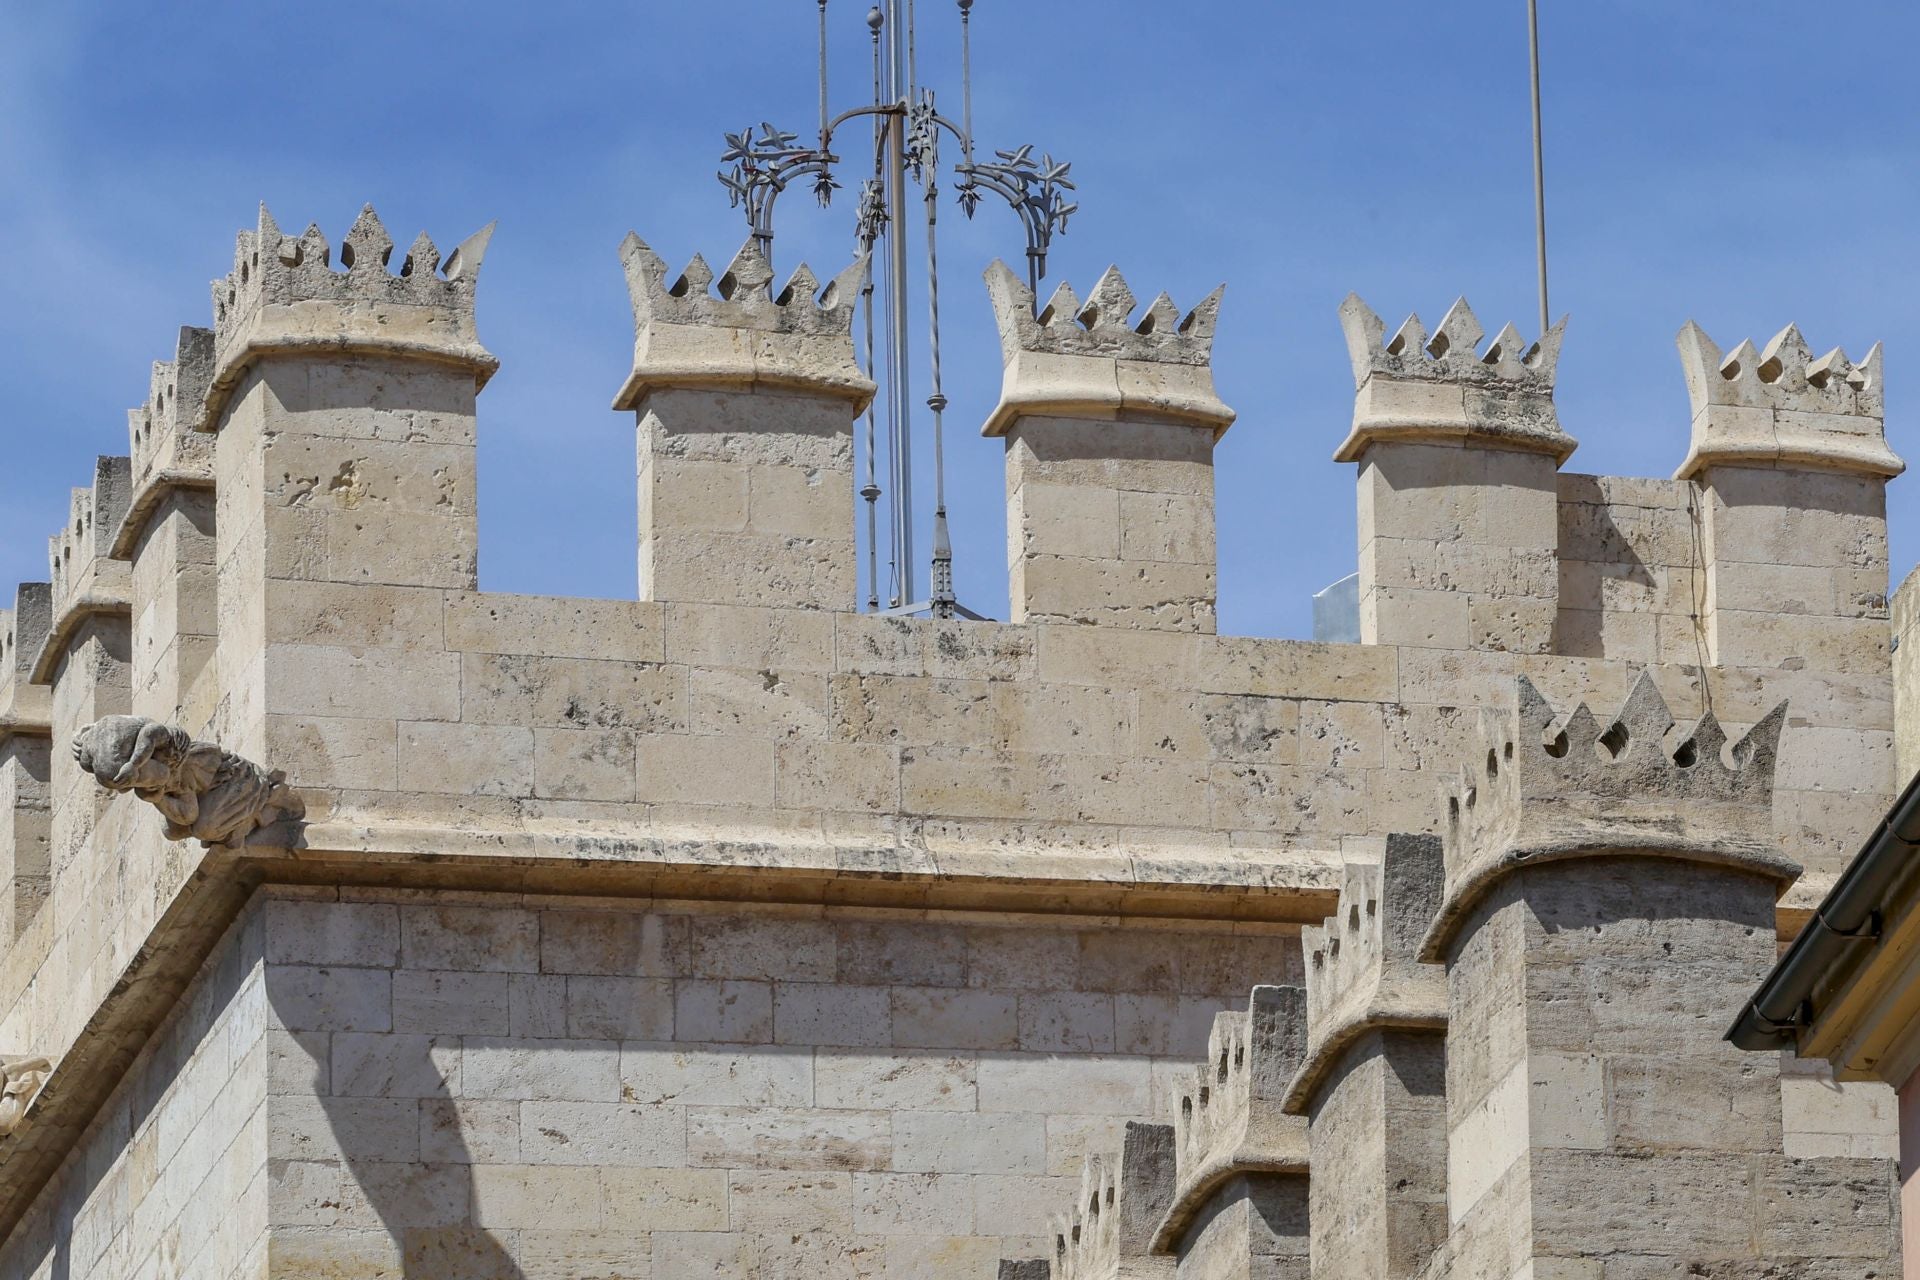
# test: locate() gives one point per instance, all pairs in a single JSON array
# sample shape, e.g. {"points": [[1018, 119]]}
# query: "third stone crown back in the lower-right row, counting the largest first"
{"points": [[1232, 1116]]}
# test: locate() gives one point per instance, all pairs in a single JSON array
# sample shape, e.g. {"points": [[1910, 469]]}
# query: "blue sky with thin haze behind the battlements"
{"points": [[1744, 166]]}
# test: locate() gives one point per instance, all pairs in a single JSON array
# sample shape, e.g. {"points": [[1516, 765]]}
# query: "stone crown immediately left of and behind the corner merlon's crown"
{"points": [[170, 450]]}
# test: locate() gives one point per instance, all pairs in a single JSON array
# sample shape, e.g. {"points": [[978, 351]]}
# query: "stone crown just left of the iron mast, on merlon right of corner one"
{"points": [[744, 337]]}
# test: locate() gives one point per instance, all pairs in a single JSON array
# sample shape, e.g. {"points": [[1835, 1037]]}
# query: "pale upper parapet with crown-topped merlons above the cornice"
{"points": [[1105, 757]]}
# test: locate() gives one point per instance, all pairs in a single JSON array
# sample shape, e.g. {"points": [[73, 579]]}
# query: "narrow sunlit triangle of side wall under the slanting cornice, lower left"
{"points": [[172, 1177]]}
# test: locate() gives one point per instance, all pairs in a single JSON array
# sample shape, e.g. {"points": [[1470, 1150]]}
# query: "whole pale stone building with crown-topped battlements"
{"points": [[366, 924]]}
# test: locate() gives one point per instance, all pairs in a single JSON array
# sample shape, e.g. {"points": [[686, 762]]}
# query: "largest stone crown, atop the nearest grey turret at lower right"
{"points": [[1533, 794]]}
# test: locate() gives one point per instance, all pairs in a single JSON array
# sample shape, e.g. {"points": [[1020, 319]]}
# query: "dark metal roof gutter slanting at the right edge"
{"points": [[1842, 932]]}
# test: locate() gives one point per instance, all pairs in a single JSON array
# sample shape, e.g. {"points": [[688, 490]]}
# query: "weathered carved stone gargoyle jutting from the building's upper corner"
{"points": [[203, 792]]}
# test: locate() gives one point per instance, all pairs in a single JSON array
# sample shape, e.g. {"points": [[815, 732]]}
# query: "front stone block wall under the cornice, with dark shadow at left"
{"points": [[575, 1087]]}
